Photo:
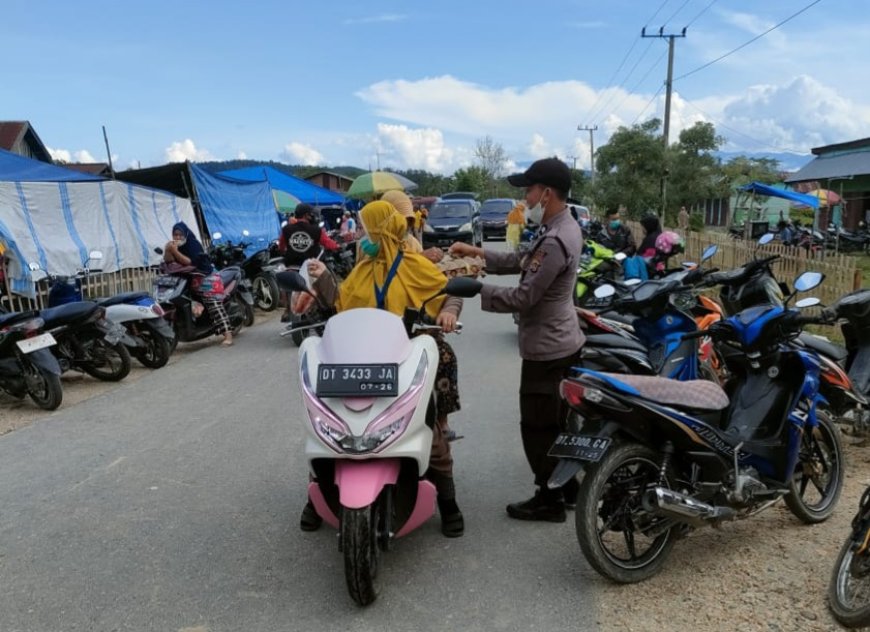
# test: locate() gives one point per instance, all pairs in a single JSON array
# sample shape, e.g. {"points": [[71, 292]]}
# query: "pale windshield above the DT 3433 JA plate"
{"points": [[364, 336]]}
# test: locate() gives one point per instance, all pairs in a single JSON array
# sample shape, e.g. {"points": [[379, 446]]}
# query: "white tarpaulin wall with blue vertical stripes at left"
{"points": [[56, 225]]}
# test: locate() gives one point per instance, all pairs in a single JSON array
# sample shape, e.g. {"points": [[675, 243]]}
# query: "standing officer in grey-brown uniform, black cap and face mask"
{"points": [[549, 333]]}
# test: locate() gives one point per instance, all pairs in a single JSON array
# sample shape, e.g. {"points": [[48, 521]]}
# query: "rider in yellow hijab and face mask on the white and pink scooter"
{"points": [[415, 279]]}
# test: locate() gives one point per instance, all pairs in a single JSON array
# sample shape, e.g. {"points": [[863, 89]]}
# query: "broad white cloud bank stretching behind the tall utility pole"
{"points": [[541, 120]]}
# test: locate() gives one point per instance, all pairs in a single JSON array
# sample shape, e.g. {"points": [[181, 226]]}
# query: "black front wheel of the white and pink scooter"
{"points": [[360, 547]]}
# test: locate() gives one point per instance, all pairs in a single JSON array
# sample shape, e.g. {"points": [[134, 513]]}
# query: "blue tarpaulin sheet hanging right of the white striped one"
{"points": [[231, 205]]}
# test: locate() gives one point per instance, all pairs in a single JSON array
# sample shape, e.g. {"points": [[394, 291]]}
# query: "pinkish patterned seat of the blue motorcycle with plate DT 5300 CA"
{"points": [[696, 394]]}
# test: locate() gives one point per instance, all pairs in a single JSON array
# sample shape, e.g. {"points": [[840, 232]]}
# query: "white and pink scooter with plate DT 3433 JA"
{"points": [[368, 391]]}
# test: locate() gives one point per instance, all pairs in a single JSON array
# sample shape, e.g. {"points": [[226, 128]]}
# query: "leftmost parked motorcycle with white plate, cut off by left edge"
{"points": [[27, 367]]}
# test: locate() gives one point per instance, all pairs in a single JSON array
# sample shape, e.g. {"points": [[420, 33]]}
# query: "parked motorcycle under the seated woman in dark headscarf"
{"points": [[188, 317]]}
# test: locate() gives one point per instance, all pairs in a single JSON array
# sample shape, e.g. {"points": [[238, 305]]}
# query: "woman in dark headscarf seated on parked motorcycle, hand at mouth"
{"points": [[186, 250]]}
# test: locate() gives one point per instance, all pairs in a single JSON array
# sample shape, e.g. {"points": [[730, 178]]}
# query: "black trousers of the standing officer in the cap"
{"points": [[542, 412]]}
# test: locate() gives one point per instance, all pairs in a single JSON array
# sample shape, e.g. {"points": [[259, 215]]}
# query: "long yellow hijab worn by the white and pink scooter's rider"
{"points": [[416, 277]]}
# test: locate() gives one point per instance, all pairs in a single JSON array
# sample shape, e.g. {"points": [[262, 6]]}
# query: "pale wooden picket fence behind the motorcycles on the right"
{"points": [[842, 274]]}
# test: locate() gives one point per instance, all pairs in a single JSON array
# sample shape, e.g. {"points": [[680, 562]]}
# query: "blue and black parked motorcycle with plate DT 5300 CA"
{"points": [[662, 456]]}
